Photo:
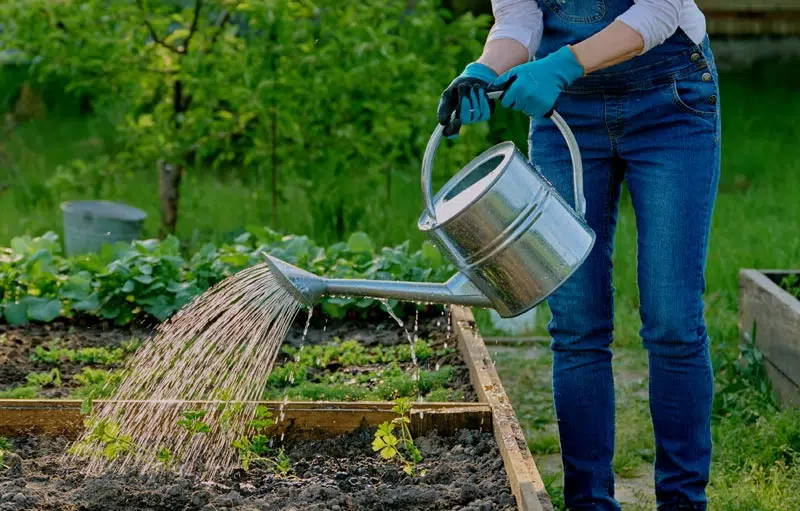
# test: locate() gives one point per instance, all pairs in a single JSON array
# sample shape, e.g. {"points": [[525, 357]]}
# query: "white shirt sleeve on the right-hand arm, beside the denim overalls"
{"points": [[655, 20]]}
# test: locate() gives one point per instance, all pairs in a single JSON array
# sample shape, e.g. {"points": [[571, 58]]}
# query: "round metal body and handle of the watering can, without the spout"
{"points": [[505, 227]]}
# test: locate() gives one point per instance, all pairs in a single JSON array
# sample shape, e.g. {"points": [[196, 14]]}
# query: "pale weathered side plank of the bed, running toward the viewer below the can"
{"points": [[526, 482]]}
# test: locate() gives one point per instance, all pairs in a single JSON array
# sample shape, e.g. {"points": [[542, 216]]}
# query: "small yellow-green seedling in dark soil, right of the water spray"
{"points": [[390, 446]]}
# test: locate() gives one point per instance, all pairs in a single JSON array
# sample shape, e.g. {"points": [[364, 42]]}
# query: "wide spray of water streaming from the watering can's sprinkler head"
{"points": [[216, 351]]}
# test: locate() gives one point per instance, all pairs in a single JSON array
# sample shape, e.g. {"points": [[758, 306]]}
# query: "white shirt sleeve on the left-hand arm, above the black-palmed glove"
{"points": [[520, 20]]}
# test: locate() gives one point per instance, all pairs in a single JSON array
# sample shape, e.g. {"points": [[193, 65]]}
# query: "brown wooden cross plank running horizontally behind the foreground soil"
{"points": [[20, 417]]}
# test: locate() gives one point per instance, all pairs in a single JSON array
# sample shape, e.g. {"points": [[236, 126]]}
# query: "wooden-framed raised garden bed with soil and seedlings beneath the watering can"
{"points": [[343, 420]]}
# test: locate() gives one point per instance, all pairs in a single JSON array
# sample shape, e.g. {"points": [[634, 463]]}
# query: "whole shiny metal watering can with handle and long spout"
{"points": [[513, 238]]}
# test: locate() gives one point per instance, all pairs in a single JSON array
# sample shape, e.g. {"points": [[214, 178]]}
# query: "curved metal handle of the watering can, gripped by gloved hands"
{"points": [[572, 144]]}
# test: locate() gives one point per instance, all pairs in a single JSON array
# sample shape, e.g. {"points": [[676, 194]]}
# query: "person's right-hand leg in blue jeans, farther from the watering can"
{"points": [[672, 150]]}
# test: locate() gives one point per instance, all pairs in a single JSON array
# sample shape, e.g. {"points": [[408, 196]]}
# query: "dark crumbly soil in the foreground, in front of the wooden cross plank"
{"points": [[463, 473]]}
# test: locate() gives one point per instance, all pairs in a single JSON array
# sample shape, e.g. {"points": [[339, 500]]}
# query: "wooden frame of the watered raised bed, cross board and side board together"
{"points": [[493, 412]]}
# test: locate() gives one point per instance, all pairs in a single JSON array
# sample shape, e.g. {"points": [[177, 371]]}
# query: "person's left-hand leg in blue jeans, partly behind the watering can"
{"points": [[582, 308]]}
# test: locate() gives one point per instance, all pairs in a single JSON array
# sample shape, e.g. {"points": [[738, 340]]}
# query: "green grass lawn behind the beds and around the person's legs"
{"points": [[756, 224]]}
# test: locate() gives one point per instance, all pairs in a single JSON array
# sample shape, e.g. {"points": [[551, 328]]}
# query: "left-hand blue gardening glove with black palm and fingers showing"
{"points": [[466, 96]]}
